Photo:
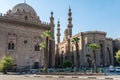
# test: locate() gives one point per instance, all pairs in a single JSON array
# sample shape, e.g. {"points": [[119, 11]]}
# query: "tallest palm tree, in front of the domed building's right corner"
{"points": [[48, 36]]}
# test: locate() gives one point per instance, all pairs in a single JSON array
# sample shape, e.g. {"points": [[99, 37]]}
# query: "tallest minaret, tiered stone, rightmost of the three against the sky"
{"points": [[69, 23]]}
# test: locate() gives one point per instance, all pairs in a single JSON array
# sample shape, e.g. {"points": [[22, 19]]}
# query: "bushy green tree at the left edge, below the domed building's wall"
{"points": [[6, 63]]}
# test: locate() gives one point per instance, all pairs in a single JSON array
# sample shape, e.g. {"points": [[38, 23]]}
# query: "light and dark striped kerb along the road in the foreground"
{"points": [[79, 77]]}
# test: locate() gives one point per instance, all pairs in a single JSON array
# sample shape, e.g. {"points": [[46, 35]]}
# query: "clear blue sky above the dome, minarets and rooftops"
{"points": [[88, 15]]}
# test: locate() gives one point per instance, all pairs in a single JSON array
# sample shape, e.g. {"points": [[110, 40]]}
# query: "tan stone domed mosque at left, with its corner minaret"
{"points": [[20, 36]]}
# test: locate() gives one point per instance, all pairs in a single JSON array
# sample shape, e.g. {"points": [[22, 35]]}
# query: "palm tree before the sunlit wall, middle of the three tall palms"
{"points": [[75, 41]]}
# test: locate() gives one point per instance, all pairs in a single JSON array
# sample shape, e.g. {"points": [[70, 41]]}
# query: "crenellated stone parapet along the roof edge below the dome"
{"points": [[21, 21]]}
